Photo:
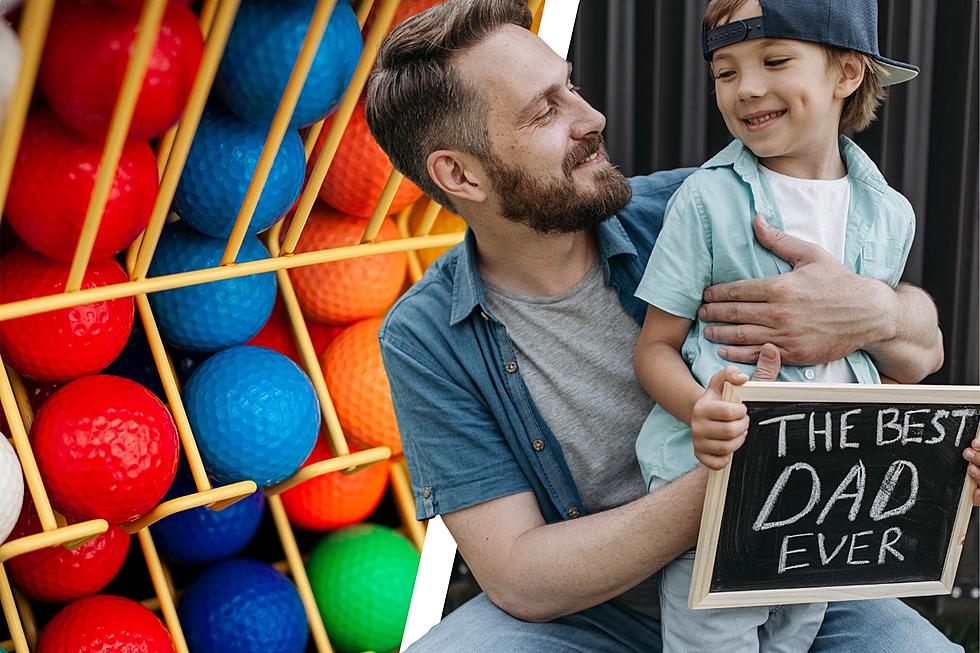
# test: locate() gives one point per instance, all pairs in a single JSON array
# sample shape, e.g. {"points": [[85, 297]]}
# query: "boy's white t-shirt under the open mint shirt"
{"points": [[815, 210]]}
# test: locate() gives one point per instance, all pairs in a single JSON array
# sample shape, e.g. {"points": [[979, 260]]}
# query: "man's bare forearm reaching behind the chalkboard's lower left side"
{"points": [[561, 568]]}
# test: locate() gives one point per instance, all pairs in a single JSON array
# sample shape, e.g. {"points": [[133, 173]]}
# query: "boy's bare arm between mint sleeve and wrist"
{"points": [[659, 367]]}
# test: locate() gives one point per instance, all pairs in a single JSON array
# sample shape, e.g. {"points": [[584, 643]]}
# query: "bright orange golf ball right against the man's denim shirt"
{"points": [[359, 387]]}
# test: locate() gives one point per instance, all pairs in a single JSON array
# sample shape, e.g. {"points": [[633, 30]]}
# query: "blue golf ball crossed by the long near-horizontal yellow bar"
{"points": [[215, 315]]}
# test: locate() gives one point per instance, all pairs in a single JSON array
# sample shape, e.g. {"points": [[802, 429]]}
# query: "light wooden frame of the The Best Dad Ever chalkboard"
{"points": [[701, 595]]}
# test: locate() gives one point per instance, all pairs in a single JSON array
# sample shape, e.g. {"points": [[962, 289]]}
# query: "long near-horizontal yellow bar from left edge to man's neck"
{"points": [[33, 306]]}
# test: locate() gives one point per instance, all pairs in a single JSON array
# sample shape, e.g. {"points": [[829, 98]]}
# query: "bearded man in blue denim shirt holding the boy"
{"points": [[510, 361]]}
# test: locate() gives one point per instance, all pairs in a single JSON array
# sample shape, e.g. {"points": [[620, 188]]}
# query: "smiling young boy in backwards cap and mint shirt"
{"points": [[790, 77]]}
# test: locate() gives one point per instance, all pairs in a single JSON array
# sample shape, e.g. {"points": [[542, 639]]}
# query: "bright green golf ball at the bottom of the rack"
{"points": [[362, 577]]}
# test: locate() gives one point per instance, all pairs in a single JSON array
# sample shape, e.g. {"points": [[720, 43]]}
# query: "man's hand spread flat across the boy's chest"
{"points": [[818, 313]]}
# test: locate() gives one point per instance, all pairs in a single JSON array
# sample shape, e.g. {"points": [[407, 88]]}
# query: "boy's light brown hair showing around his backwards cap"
{"points": [[860, 106]]}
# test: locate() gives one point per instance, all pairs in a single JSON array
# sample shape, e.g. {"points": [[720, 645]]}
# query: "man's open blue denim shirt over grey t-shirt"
{"points": [[468, 423]]}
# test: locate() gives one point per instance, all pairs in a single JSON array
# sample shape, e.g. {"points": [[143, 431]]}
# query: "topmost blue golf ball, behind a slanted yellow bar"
{"points": [[262, 48]]}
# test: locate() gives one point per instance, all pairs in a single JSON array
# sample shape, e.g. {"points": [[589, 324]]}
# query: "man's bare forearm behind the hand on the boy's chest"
{"points": [[911, 346]]}
